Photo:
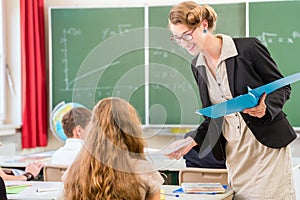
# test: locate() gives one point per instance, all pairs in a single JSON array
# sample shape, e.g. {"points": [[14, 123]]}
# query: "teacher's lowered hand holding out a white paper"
{"points": [[190, 143]]}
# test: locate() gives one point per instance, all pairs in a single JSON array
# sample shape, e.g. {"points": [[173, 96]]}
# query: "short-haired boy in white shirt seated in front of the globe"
{"points": [[74, 124]]}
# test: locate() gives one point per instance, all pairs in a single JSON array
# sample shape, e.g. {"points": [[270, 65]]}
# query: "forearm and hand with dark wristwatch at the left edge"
{"points": [[32, 170]]}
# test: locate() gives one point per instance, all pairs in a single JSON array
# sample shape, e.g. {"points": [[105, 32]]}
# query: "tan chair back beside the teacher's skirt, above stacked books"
{"points": [[203, 175]]}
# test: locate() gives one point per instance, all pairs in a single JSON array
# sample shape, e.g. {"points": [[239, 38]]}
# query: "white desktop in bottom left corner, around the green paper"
{"points": [[30, 193]]}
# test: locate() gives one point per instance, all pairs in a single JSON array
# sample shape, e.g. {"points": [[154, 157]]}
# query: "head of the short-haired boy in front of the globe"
{"points": [[75, 121]]}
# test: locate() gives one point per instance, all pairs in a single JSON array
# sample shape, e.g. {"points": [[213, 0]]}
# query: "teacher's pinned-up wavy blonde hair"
{"points": [[191, 14]]}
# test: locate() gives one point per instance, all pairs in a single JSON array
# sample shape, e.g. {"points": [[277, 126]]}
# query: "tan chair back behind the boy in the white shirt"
{"points": [[54, 172]]}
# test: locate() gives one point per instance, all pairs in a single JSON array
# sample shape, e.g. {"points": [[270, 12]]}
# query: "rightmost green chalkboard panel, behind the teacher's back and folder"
{"points": [[277, 25]]}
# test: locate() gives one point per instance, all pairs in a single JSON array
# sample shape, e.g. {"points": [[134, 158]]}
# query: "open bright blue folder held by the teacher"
{"points": [[249, 100]]}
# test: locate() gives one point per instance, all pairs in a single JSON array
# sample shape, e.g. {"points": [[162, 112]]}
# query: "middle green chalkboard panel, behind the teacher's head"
{"points": [[173, 93]]}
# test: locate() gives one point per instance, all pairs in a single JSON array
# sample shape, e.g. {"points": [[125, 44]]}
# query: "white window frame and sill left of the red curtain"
{"points": [[10, 137]]}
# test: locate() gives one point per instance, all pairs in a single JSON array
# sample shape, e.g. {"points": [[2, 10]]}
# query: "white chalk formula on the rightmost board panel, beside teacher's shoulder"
{"points": [[268, 38]]}
